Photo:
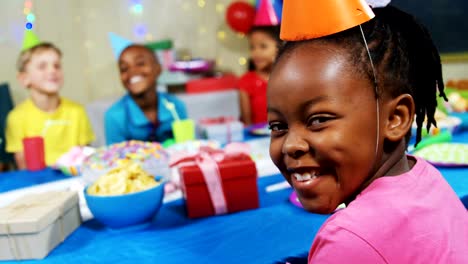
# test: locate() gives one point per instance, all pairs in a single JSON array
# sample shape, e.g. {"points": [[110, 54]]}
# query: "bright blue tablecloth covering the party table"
{"points": [[270, 234]]}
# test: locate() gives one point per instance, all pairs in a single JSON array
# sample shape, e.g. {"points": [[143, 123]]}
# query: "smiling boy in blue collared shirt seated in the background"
{"points": [[143, 114]]}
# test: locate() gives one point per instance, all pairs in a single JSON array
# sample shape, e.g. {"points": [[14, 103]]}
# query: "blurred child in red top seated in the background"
{"points": [[264, 44]]}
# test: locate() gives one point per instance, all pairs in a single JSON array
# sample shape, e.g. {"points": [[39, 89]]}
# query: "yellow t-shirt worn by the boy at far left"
{"points": [[66, 127]]}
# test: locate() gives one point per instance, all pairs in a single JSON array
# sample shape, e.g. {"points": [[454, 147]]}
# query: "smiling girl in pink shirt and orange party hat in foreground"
{"points": [[340, 118]]}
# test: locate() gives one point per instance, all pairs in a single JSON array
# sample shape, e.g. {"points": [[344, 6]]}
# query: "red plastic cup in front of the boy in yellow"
{"points": [[33, 148]]}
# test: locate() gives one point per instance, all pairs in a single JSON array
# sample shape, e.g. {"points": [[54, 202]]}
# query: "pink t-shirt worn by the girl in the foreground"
{"points": [[415, 217]]}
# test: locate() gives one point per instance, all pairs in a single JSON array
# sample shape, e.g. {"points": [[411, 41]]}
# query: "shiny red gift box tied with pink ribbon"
{"points": [[237, 180]]}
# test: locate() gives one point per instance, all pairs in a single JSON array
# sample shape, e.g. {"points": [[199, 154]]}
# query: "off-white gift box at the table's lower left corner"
{"points": [[35, 224]]}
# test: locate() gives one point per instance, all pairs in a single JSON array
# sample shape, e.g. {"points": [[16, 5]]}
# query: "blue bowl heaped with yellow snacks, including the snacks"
{"points": [[125, 196]]}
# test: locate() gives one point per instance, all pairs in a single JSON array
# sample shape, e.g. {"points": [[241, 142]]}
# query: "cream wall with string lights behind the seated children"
{"points": [[80, 28]]}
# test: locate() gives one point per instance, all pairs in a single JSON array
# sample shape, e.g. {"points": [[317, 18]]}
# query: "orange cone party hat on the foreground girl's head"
{"points": [[305, 19]]}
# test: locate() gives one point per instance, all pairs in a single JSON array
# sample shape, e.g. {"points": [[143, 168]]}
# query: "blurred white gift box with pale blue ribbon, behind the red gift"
{"points": [[222, 129]]}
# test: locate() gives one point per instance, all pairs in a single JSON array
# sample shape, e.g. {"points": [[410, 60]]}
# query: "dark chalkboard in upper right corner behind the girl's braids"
{"points": [[447, 20]]}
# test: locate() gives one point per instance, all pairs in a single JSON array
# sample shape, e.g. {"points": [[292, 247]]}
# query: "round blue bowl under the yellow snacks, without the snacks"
{"points": [[121, 211]]}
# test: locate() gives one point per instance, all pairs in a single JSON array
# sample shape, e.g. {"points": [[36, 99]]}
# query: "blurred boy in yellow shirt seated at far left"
{"points": [[62, 123]]}
